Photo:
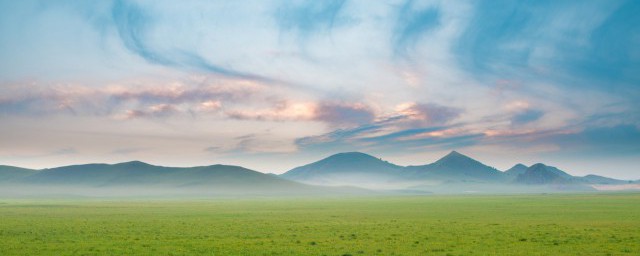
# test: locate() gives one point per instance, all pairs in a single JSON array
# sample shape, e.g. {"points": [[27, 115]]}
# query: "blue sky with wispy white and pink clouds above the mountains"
{"points": [[271, 85]]}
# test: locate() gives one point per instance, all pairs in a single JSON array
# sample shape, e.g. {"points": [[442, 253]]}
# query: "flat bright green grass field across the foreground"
{"points": [[584, 224]]}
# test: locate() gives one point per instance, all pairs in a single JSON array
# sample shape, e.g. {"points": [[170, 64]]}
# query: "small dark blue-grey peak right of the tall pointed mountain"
{"points": [[540, 174]]}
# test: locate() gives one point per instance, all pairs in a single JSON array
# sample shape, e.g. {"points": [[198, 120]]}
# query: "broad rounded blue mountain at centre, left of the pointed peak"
{"points": [[352, 168]]}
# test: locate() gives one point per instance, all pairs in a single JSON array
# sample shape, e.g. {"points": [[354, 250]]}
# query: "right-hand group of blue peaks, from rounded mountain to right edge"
{"points": [[454, 170]]}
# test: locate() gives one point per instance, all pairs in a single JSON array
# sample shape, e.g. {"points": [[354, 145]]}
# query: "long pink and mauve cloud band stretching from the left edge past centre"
{"points": [[224, 98]]}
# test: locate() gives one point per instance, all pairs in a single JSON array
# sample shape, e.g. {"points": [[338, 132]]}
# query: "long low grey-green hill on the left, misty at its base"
{"points": [[139, 173]]}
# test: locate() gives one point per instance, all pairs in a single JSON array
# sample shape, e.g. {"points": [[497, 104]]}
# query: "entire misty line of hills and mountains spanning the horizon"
{"points": [[355, 169]]}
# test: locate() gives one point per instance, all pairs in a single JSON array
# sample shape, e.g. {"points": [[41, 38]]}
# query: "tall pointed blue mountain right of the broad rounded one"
{"points": [[456, 167]]}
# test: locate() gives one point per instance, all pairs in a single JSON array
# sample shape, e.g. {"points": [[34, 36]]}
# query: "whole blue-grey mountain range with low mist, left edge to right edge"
{"points": [[351, 172]]}
